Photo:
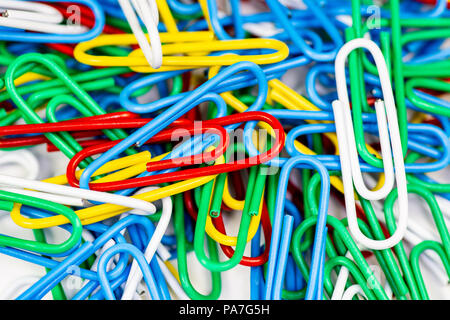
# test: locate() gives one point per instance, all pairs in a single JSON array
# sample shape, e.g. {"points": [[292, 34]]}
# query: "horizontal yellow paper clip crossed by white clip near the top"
{"points": [[190, 44]]}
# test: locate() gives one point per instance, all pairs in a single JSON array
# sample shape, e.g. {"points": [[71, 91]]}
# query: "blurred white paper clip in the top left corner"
{"points": [[34, 16]]}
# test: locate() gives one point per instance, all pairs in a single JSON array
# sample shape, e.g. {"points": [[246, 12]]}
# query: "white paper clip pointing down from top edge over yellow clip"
{"points": [[148, 13]]}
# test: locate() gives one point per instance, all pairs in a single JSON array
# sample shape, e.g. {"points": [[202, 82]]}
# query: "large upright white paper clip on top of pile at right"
{"points": [[351, 172]]}
